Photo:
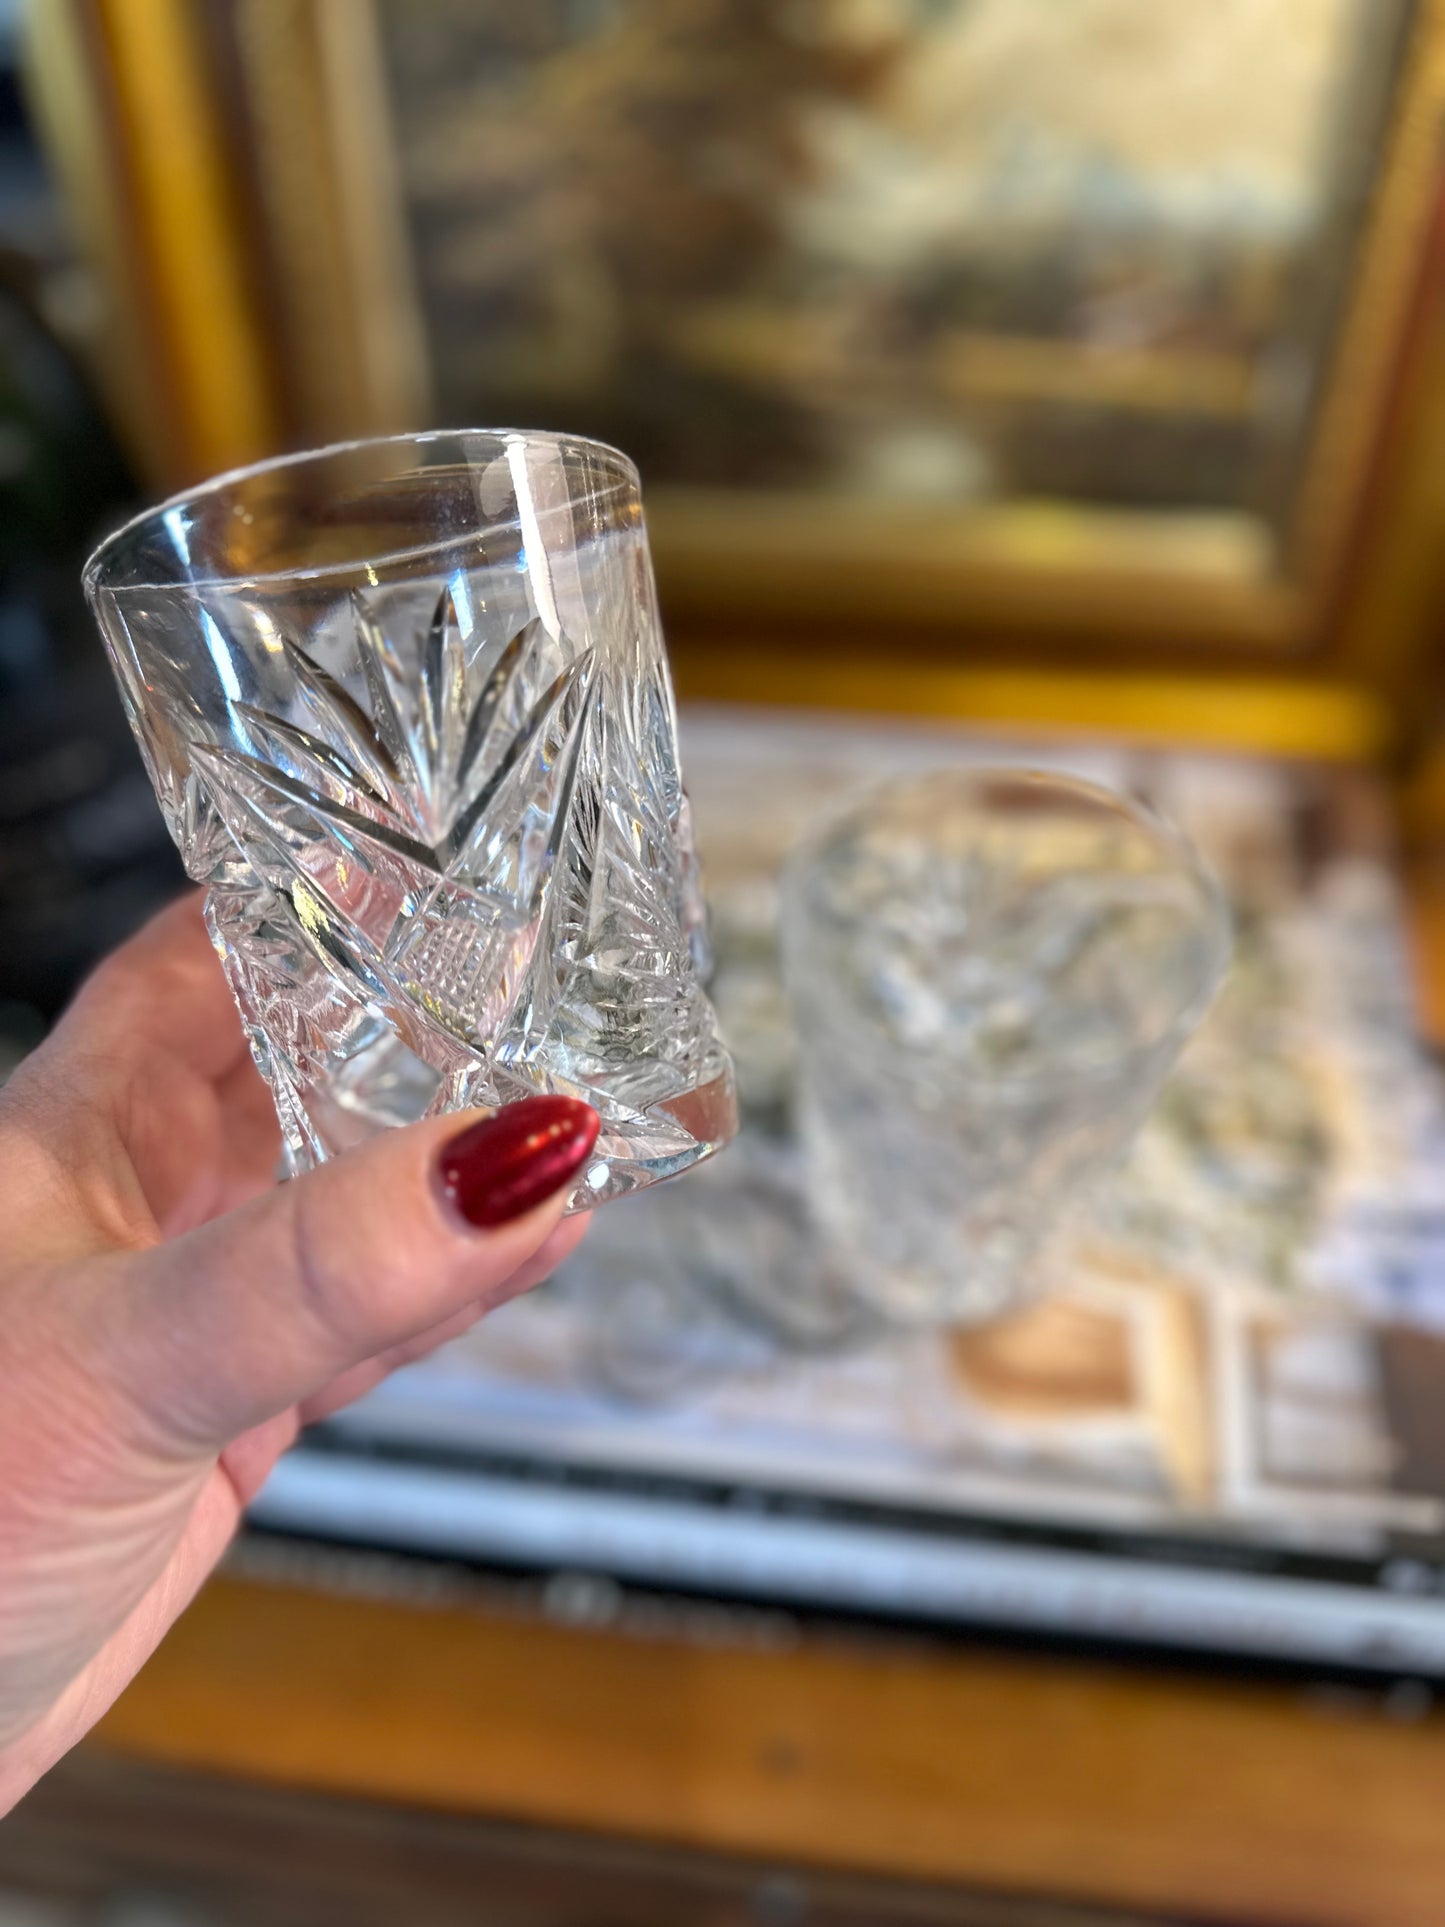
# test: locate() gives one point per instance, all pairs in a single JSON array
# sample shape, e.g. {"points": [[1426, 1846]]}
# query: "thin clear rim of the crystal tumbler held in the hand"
{"points": [[230, 479]]}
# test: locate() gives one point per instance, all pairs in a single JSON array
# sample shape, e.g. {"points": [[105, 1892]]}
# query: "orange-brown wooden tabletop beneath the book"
{"points": [[1213, 1797]]}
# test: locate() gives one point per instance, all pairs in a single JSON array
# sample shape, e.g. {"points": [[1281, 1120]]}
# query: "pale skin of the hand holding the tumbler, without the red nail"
{"points": [[171, 1317]]}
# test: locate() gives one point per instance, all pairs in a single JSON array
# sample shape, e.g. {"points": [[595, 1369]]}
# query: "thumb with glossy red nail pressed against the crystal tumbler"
{"points": [[253, 1313]]}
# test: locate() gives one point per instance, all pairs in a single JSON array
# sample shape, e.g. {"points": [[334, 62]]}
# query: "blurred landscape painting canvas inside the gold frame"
{"points": [[937, 251]]}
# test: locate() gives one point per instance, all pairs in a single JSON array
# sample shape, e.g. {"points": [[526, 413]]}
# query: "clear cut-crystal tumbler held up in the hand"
{"points": [[409, 720]]}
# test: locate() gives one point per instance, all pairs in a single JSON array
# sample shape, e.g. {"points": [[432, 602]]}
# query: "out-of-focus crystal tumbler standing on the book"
{"points": [[991, 976]]}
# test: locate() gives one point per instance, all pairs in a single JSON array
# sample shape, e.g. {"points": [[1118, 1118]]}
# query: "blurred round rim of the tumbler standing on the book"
{"points": [[1190, 1009]]}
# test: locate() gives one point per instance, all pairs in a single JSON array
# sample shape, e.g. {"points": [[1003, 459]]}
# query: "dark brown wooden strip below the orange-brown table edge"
{"points": [[107, 1841]]}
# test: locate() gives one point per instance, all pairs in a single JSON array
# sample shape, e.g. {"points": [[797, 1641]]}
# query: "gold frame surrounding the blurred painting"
{"points": [[234, 176]]}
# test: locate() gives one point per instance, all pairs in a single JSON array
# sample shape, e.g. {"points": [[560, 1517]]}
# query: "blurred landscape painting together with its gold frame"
{"points": [[1057, 332]]}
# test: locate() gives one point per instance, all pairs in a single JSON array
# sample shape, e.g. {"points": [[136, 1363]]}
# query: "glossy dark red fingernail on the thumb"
{"points": [[502, 1167]]}
